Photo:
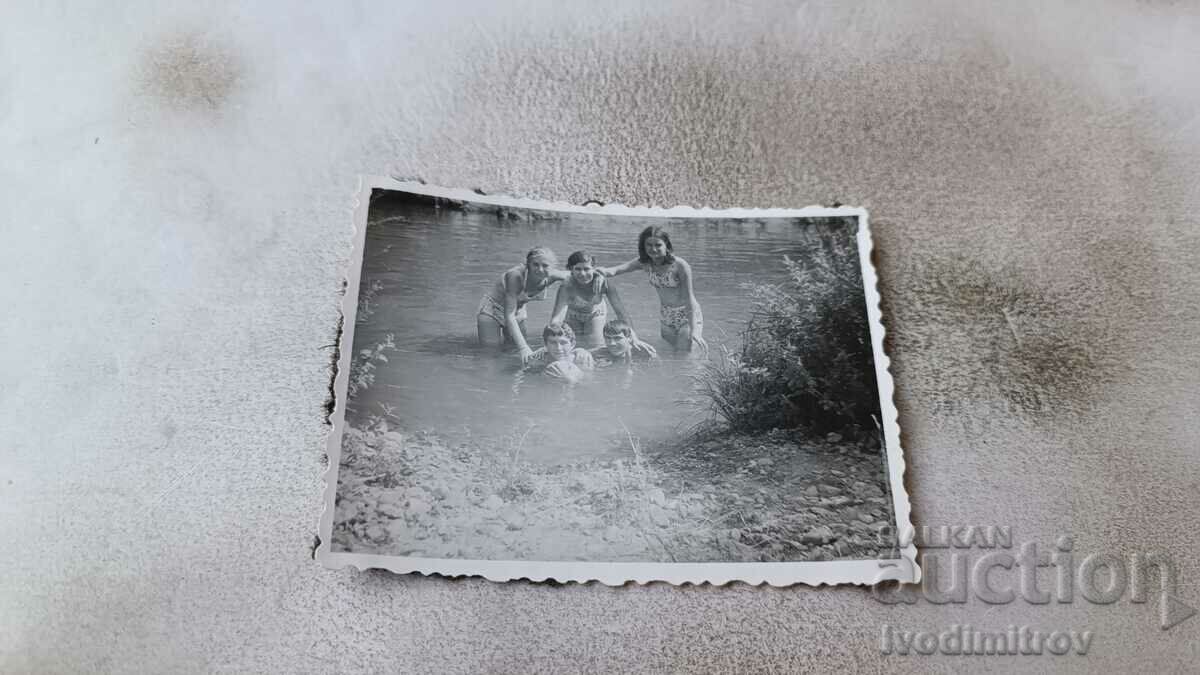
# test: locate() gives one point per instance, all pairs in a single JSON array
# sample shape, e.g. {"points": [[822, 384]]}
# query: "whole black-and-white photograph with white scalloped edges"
{"points": [[537, 390]]}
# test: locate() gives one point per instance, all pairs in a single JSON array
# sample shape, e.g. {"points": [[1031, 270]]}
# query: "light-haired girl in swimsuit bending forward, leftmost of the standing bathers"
{"points": [[502, 313]]}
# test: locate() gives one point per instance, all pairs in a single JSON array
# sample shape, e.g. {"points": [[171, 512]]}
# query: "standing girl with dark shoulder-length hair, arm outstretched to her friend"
{"points": [[681, 321]]}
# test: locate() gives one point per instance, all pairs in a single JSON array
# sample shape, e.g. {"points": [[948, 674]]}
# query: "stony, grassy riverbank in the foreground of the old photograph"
{"points": [[725, 498]]}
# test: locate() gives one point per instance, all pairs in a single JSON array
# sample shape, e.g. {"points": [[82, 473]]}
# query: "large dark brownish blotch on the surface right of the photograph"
{"points": [[988, 336]]}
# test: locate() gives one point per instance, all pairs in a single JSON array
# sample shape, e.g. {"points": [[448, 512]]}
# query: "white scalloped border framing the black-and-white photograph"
{"points": [[899, 566]]}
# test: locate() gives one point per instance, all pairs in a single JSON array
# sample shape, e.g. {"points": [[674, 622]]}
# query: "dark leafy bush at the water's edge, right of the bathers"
{"points": [[806, 359]]}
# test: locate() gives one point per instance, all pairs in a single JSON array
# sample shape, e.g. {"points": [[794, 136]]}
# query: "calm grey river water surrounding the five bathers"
{"points": [[431, 266]]}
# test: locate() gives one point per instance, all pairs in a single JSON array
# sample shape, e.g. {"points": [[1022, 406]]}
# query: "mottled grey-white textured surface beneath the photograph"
{"points": [[175, 200]]}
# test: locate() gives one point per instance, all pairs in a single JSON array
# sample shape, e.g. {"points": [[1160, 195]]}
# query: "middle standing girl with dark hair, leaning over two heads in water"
{"points": [[581, 301]]}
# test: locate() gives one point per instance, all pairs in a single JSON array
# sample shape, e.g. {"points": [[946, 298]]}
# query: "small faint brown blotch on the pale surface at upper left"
{"points": [[193, 71]]}
